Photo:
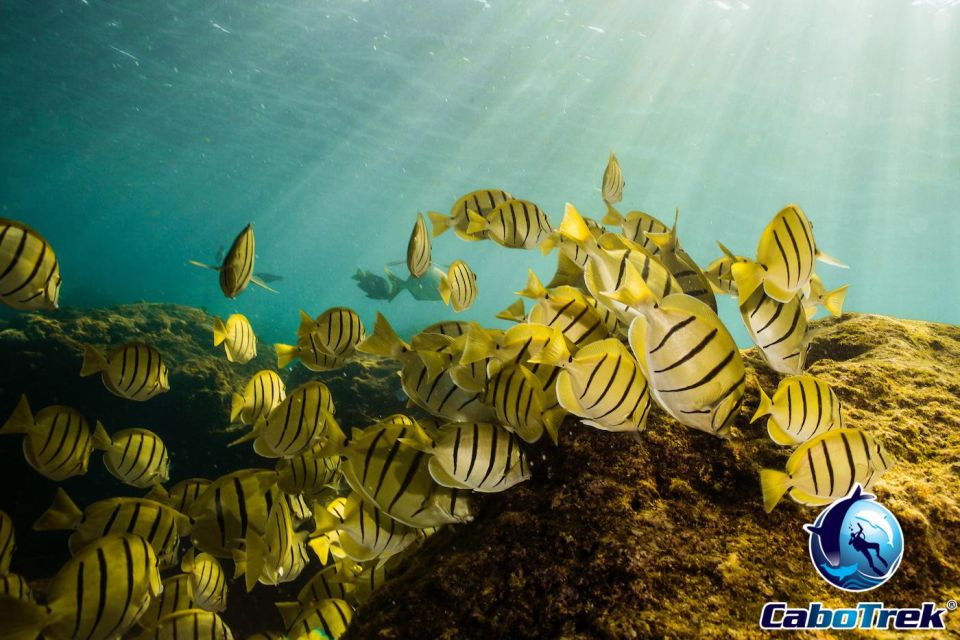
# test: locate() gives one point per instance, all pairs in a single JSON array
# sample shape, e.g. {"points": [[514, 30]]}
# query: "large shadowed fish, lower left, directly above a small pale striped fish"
{"points": [[232, 505]]}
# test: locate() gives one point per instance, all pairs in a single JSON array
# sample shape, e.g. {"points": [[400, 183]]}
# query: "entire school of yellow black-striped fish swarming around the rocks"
{"points": [[627, 325]]}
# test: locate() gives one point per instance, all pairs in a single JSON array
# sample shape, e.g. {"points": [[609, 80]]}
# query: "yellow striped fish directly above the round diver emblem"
{"points": [[825, 468]]}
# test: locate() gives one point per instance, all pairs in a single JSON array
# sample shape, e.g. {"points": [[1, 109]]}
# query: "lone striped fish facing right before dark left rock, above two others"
{"points": [[134, 371]]}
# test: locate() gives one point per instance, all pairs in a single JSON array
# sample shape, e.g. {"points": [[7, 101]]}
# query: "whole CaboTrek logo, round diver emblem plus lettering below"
{"points": [[856, 545]]}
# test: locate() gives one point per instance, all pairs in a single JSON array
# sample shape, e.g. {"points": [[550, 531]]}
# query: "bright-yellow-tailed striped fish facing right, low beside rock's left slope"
{"points": [[365, 531]]}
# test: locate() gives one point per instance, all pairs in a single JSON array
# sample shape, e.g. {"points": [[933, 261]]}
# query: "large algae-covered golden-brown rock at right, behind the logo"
{"points": [[667, 536]]}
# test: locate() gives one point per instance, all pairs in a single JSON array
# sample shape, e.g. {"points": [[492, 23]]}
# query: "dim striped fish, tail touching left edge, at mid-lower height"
{"points": [[58, 440]]}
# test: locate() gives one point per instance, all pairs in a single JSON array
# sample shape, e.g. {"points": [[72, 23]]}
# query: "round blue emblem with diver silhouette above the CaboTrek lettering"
{"points": [[856, 544]]}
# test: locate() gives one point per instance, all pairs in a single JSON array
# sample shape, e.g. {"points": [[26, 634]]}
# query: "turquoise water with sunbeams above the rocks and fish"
{"points": [[138, 135]]}
